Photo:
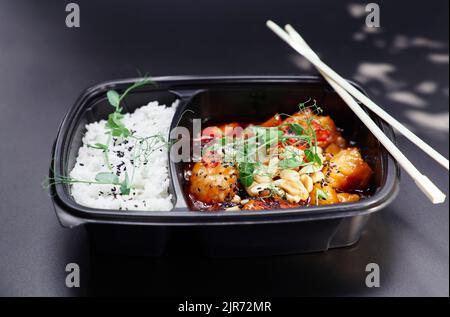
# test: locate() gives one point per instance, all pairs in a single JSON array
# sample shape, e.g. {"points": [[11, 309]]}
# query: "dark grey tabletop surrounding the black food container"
{"points": [[44, 66]]}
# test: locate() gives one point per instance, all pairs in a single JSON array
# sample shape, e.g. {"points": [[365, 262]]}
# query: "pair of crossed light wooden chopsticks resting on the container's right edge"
{"points": [[349, 93]]}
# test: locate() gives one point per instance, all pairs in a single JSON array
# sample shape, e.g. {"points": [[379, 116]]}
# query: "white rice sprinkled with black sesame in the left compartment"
{"points": [[150, 181]]}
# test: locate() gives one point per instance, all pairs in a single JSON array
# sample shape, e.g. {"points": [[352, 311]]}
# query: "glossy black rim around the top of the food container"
{"points": [[71, 213]]}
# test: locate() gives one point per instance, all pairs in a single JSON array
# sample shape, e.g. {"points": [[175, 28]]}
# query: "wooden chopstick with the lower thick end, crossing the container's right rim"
{"points": [[424, 183]]}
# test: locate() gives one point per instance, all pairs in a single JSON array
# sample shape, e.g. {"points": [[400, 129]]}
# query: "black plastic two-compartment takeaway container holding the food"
{"points": [[223, 233]]}
